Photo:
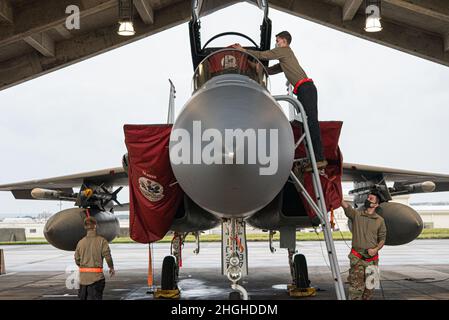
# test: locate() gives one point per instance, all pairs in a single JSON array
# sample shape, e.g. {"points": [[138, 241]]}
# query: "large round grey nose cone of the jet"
{"points": [[232, 148]]}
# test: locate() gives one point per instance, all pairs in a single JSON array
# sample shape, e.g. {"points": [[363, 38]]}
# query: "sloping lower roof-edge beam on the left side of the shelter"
{"points": [[84, 46]]}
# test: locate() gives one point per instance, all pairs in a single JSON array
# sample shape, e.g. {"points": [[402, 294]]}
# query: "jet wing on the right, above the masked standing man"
{"points": [[359, 172]]}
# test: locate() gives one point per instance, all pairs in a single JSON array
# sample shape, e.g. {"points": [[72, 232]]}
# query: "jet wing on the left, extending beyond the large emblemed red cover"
{"points": [[110, 177]]}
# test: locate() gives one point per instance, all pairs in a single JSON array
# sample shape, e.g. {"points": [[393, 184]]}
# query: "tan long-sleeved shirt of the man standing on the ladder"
{"points": [[287, 63]]}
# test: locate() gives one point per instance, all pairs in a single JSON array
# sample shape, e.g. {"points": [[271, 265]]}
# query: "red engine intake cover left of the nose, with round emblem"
{"points": [[153, 196]]}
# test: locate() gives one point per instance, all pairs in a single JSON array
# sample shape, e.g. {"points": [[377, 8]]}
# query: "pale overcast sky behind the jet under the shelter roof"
{"points": [[395, 106]]}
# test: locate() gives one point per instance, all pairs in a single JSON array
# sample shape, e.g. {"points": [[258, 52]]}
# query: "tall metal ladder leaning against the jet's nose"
{"points": [[319, 207]]}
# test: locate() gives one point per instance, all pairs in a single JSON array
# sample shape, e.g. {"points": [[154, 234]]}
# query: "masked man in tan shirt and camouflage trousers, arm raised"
{"points": [[368, 237]]}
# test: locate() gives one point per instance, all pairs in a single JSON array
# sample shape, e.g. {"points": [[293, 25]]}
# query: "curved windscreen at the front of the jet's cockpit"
{"points": [[229, 61]]}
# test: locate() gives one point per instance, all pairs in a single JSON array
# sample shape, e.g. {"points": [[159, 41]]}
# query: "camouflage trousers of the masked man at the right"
{"points": [[357, 279]]}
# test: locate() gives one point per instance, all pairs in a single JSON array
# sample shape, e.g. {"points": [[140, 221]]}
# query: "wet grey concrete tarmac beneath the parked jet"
{"points": [[419, 270]]}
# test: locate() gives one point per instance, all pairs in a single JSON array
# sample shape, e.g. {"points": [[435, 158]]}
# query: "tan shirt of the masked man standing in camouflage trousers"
{"points": [[367, 229]]}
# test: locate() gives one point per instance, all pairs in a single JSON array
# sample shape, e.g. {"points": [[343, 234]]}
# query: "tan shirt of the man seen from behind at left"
{"points": [[89, 253]]}
